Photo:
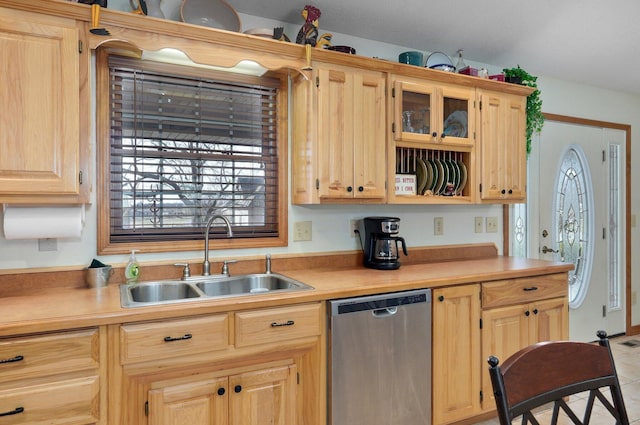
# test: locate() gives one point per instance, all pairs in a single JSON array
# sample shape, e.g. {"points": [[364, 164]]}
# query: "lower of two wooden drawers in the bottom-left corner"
{"points": [[69, 402]]}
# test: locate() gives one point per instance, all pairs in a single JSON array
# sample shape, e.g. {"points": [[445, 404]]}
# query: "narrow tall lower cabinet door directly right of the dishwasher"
{"points": [[456, 353]]}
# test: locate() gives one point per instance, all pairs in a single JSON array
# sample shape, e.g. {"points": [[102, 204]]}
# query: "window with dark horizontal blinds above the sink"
{"points": [[184, 147]]}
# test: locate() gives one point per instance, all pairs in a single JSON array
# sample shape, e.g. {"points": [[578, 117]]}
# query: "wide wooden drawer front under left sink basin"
{"points": [[173, 338]]}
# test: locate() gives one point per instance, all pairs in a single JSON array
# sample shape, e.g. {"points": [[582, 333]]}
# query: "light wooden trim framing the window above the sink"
{"points": [[106, 247]]}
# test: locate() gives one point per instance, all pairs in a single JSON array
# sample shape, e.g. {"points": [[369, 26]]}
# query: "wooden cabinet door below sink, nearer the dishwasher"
{"points": [[263, 397]]}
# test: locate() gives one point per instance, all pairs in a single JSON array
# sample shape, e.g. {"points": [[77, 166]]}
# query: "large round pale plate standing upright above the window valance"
{"points": [[210, 13]]}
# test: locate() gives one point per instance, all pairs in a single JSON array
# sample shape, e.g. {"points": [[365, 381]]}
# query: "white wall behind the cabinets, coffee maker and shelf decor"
{"points": [[331, 223]]}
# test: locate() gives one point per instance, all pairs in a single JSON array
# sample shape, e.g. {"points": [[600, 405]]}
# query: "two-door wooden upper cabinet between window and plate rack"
{"points": [[339, 136]]}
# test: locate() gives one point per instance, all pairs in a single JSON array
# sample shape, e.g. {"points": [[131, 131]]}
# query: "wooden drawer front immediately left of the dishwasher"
{"points": [[277, 324]]}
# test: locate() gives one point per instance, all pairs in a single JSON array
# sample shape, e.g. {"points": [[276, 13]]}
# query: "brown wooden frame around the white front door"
{"points": [[630, 329]]}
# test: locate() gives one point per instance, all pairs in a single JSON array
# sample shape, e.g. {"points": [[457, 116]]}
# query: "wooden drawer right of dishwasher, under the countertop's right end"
{"points": [[523, 290]]}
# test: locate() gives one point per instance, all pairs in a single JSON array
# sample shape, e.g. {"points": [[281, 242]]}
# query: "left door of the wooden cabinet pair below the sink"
{"points": [[201, 402]]}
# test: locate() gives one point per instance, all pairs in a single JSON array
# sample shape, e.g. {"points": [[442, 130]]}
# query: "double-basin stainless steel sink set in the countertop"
{"points": [[205, 288]]}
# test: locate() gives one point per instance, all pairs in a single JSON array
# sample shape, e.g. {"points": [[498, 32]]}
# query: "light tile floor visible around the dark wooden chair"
{"points": [[628, 366]]}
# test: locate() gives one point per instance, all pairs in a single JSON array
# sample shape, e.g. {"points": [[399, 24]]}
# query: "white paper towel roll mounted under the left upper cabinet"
{"points": [[43, 222]]}
